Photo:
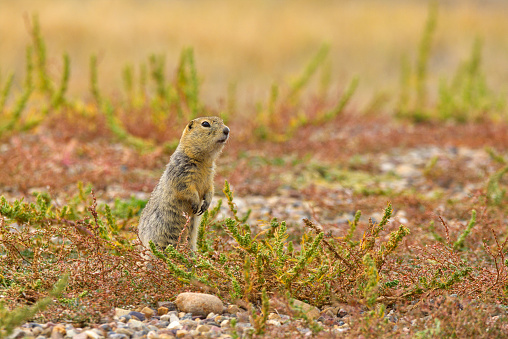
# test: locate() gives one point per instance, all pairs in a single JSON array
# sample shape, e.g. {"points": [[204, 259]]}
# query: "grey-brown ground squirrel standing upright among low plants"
{"points": [[186, 185]]}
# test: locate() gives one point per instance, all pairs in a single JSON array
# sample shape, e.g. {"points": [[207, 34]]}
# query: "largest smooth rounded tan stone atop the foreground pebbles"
{"points": [[199, 303]]}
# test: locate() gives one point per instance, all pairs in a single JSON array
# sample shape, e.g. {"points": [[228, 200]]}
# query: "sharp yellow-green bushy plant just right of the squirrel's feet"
{"points": [[267, 260]]}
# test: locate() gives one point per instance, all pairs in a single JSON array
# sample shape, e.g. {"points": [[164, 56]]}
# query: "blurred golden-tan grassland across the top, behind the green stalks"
{"points": [[251, 44]]}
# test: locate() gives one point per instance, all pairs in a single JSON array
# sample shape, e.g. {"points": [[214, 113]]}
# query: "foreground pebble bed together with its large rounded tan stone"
{"points": [[192, 315]]}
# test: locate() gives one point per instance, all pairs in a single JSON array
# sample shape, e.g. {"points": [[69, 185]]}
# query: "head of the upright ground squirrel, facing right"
{"points": [[204, 138]]}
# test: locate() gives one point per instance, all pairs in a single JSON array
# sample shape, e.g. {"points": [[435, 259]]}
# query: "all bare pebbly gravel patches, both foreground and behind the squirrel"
{"points": [[407, 169]]}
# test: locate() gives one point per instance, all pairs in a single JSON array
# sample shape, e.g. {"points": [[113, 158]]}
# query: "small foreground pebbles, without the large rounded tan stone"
{"points": [[172, 325]]}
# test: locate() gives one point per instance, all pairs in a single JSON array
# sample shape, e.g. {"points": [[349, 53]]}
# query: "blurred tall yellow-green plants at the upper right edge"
{"points": [[466, 97]]}
